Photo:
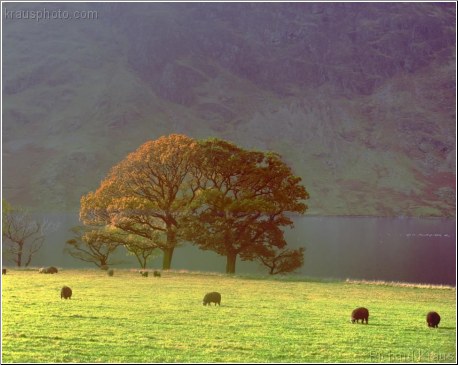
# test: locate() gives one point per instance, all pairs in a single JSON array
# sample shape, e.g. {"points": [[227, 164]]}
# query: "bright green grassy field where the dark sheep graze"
{"points": [[129, 318]]}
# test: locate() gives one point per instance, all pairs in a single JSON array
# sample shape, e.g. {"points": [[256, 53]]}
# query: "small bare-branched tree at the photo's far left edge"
{"points": [[22, 235]]}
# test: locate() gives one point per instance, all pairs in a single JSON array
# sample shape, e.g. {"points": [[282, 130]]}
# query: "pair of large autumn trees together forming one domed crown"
{"points": [[212, 193]]}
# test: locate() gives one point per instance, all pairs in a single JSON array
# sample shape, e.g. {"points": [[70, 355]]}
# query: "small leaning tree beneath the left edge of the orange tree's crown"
{"points": [[92, 244]]}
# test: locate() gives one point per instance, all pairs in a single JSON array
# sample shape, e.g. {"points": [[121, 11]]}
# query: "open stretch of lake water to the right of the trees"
{"points": [[398, 249]]}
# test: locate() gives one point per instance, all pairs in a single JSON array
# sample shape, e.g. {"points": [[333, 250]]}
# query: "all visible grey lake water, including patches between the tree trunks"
{"points": [[374, 248]]}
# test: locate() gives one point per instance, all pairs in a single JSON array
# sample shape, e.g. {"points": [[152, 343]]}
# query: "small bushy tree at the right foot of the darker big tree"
{"points": [[282, 261]]}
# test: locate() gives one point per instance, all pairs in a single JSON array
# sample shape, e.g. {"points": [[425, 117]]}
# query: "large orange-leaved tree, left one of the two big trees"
{"points": [[147, 192]]}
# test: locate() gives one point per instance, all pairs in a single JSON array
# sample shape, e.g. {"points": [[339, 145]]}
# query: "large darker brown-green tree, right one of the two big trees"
{"points": [[245, 199]]}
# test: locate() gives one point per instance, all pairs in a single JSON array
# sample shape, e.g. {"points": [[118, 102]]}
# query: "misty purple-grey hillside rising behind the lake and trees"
{"points": [[359, 98]]}
